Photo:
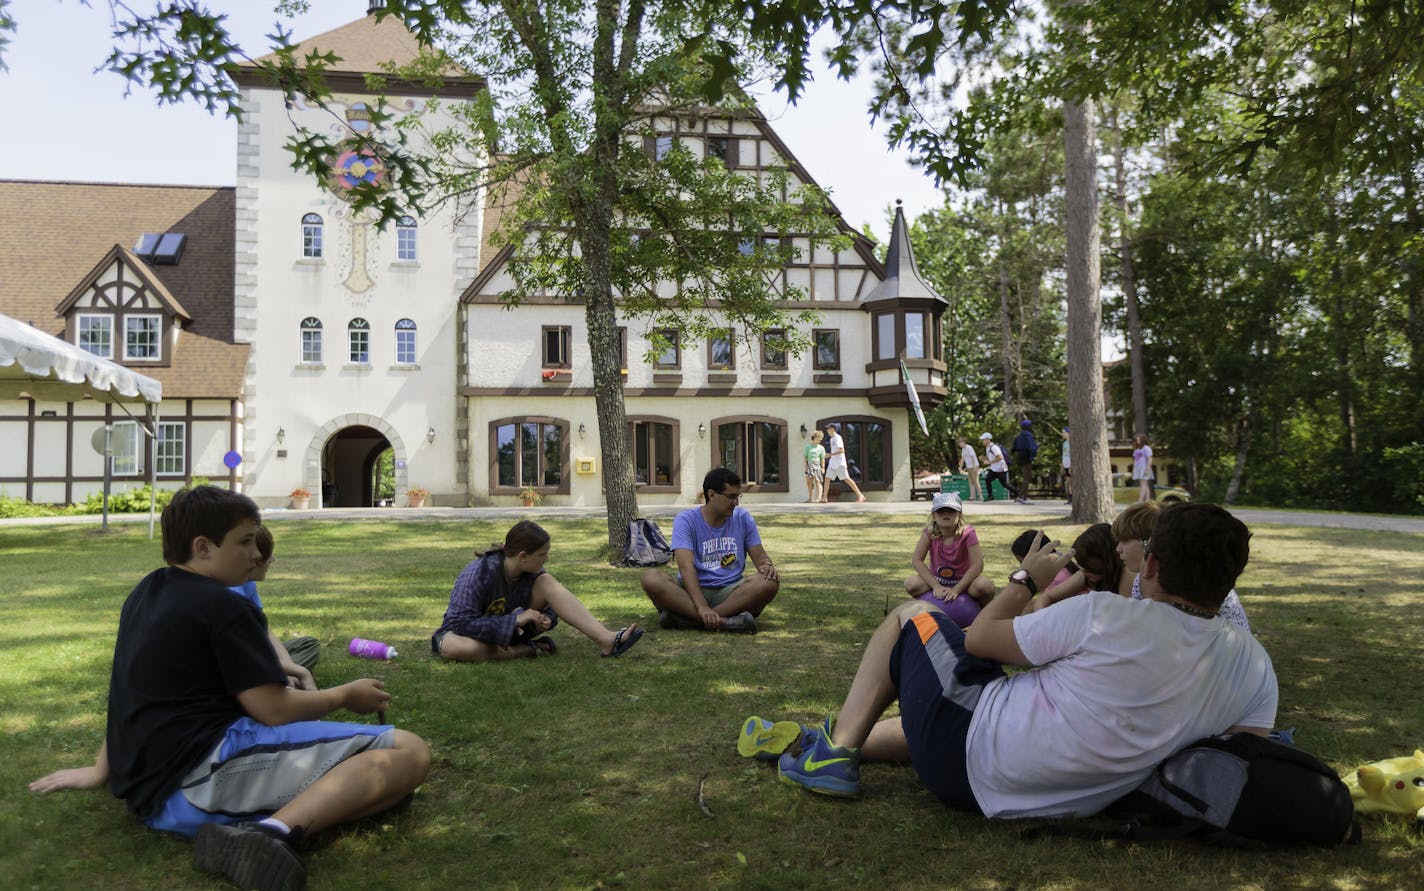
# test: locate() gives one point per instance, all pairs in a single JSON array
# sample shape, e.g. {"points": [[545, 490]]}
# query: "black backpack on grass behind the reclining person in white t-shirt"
{"points": [[1235, 791]]}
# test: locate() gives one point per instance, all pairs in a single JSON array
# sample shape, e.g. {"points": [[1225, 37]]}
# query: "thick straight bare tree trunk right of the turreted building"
{"points": [[1091, 480]]}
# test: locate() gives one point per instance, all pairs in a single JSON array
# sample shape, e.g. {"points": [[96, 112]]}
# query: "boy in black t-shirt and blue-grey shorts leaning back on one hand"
{"points": [[204, 735]]}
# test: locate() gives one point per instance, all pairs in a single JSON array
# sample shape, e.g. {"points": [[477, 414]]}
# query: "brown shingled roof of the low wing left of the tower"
{"points": [[53, 234]]}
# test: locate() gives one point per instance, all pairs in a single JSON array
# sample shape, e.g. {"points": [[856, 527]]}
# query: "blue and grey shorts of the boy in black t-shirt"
{"points": [[256, 771]]}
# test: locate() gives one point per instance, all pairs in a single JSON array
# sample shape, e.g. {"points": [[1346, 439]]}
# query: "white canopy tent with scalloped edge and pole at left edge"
{"points": [[39, 367]]}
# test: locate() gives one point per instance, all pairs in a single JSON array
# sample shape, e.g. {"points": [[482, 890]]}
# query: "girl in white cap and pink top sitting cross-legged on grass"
{"points": [[949, 567]]}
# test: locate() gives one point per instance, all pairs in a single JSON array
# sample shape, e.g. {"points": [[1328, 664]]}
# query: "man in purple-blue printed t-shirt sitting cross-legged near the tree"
{"points": [[711, 546]]}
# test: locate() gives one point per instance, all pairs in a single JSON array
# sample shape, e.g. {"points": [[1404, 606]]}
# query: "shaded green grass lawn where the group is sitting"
{"points": [[583, 772]]}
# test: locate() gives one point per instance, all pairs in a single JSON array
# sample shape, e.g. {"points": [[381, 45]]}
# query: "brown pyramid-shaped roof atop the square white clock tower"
{"points": [[370, 46]]}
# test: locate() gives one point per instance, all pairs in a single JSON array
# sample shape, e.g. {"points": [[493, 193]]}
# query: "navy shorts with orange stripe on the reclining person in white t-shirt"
{"points": [[941, 687]]}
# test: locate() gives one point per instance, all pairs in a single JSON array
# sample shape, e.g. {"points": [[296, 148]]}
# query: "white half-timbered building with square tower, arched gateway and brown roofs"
{"points": [[298, 338]]}
